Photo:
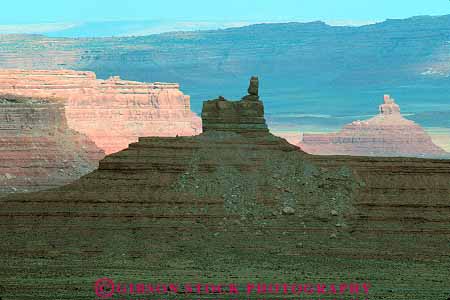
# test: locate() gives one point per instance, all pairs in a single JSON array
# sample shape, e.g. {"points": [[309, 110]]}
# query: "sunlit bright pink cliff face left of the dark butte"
{"points": [[114, 112]]}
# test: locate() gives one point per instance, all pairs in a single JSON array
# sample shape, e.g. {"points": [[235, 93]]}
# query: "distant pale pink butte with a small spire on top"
{"points": [[387, 134]]}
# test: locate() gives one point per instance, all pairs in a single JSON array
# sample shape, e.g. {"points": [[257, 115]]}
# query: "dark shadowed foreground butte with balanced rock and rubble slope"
{"points": [[233, 204]]}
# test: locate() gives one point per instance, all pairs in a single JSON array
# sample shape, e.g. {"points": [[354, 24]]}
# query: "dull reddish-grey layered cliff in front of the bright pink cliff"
{"points": [[37, 148]]}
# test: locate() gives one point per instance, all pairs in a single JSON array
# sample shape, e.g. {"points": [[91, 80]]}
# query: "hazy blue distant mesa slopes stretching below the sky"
{"points": [[297, 60]]}
